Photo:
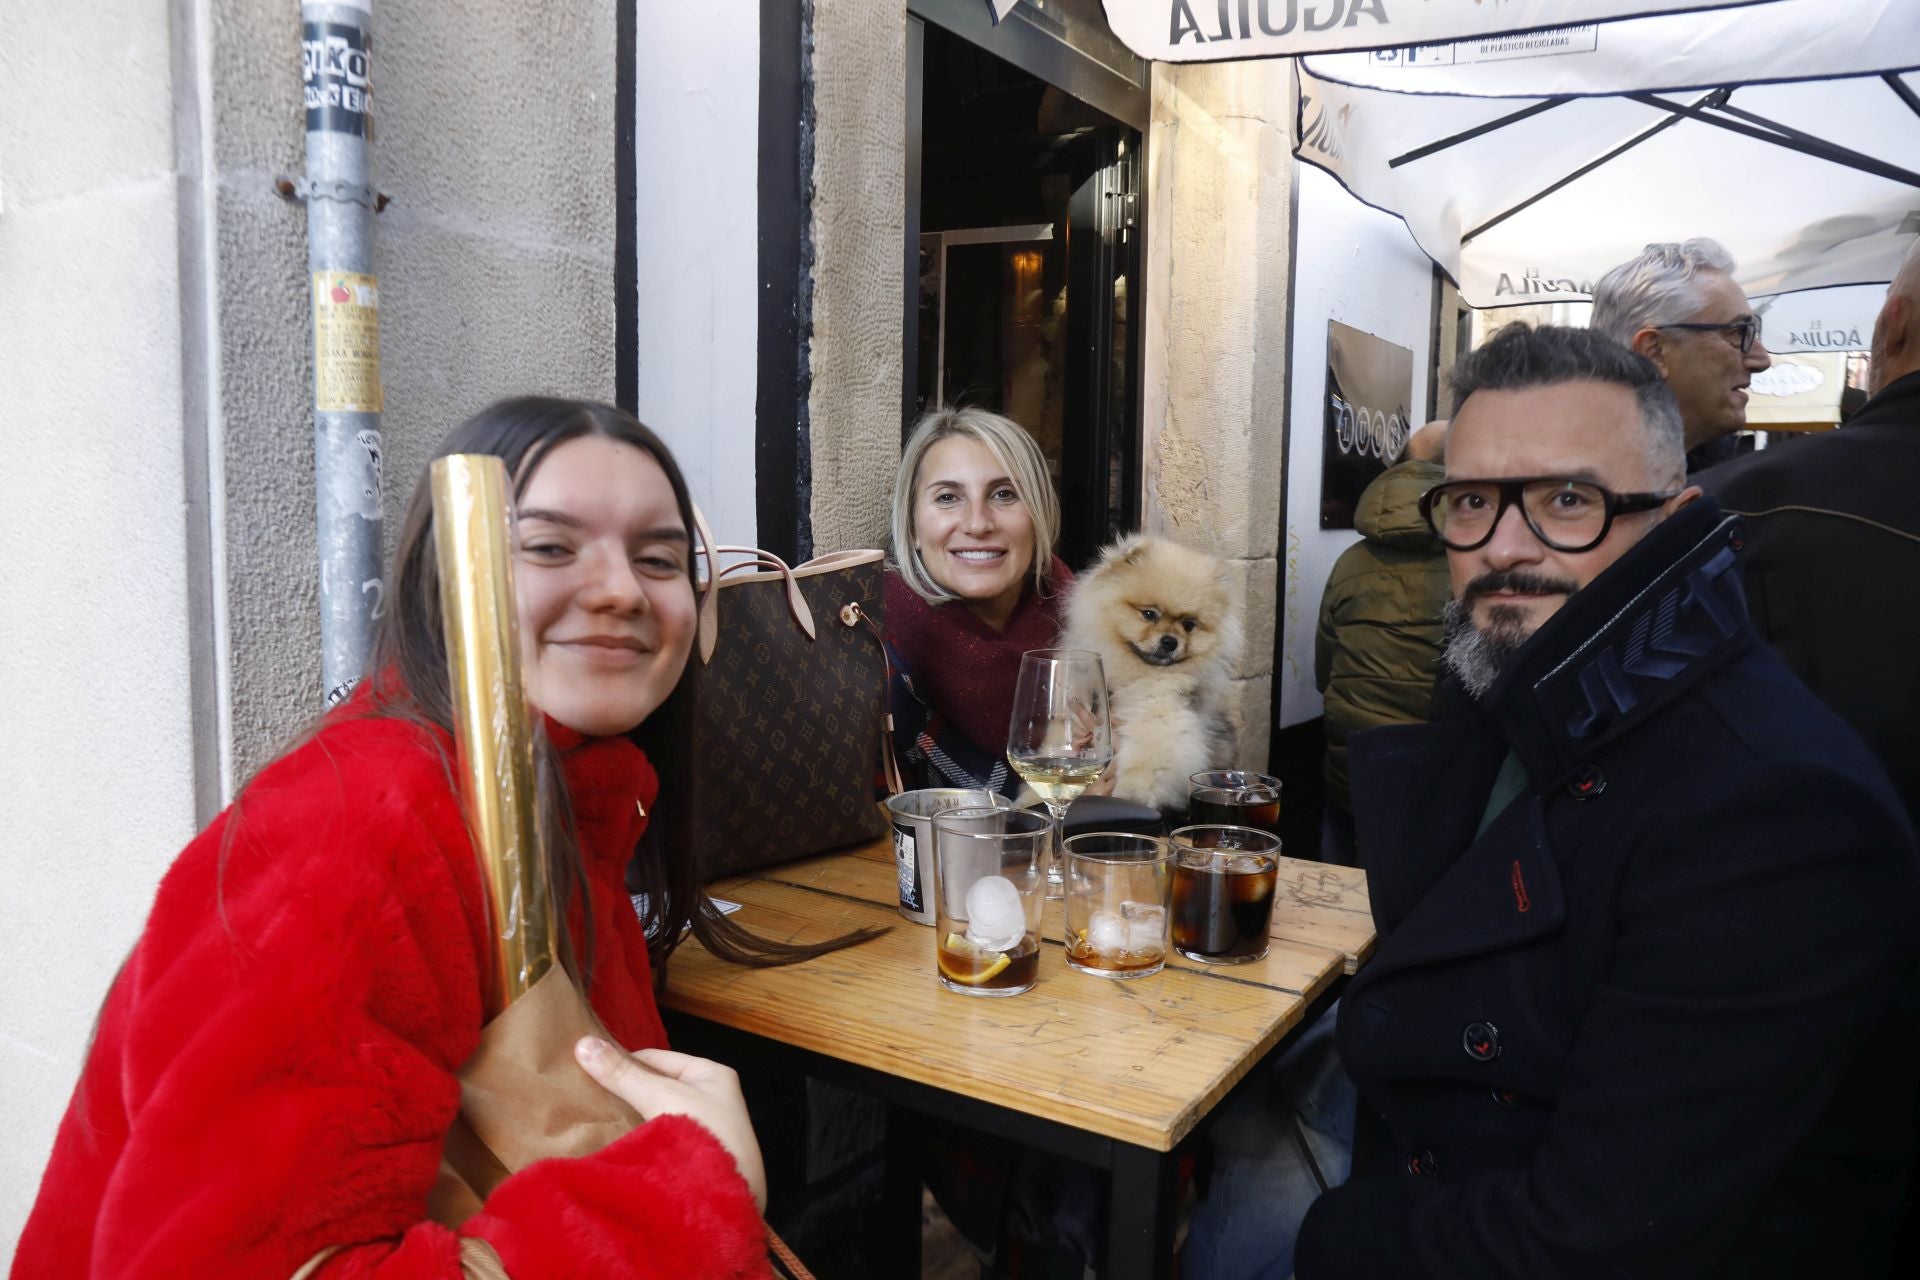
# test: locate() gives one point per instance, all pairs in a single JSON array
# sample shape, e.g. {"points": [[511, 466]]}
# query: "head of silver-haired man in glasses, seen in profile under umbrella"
{"points": [[1679, 306]]}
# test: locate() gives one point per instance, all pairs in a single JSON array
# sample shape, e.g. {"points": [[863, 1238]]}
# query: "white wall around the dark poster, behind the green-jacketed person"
{"points": [[1360, 268]]}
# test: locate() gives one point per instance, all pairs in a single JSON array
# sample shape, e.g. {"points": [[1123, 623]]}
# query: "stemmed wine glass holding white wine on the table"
{"points": [[1059, 736]]}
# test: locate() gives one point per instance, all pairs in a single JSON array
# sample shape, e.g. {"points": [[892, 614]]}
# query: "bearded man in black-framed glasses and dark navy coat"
{"points": [[1643, 995]]}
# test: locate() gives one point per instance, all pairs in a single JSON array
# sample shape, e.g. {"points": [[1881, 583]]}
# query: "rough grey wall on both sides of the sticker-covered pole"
{"points": [[494, 139]]}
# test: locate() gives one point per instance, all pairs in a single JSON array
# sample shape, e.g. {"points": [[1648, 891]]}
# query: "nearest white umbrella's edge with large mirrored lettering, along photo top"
{"points": [[1234, 30]]}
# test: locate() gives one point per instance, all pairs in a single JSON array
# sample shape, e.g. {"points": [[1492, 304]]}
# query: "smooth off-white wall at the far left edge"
{"points": [[95, 726]]}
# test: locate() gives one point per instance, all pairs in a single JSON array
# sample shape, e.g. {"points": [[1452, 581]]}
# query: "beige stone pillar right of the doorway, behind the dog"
{"points": [[1214, 371]]}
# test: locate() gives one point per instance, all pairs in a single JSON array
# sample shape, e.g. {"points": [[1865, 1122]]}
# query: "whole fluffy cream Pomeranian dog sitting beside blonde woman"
{"points": [[1168, 634]]}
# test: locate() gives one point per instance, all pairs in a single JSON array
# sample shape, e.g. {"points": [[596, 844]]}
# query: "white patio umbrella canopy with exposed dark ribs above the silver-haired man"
{"points": [[1788, 131]]}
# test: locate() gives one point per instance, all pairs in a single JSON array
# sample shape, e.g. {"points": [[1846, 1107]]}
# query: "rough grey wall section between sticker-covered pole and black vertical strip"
{"points": [[496, 256]]}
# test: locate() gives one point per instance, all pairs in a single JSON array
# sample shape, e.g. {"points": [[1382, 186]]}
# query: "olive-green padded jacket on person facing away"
{"points": [[1380, 638]]}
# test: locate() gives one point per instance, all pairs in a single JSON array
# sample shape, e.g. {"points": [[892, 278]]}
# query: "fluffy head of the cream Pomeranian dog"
{"points": [[1161, 604]]}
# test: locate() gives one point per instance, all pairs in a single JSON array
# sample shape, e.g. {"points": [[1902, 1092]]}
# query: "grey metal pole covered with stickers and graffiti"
{"points": [[347, 333]]}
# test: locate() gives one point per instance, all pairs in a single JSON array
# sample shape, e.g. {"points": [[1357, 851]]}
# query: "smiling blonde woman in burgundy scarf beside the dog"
{"points": [[974, 584]]}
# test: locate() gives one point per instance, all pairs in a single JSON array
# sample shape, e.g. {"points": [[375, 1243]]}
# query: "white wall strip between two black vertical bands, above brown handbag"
{"points": [[698, 141]]}
